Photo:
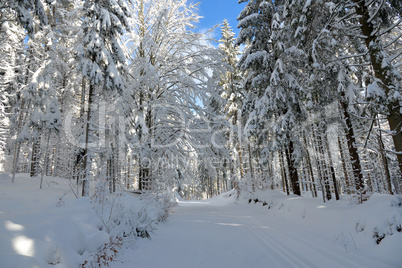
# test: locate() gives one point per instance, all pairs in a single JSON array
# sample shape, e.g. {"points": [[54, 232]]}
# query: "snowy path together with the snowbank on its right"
{"points": [[293, 232]]}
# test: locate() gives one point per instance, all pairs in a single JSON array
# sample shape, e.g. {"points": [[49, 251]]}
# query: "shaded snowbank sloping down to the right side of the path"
{"points": [[370, 231]]}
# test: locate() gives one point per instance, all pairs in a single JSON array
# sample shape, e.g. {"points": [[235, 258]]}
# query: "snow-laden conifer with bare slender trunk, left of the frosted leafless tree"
{"points": [[101, 61]]}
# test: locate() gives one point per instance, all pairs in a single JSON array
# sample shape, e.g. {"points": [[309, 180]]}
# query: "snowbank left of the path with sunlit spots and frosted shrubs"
{"points": [[53, 228]]}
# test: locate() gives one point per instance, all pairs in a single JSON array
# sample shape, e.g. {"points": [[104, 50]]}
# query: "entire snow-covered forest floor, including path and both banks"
{"points": [[52, 228]]}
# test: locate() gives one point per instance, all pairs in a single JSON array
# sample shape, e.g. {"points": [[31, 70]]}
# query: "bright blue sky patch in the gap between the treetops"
{"points": [[215, 11]]}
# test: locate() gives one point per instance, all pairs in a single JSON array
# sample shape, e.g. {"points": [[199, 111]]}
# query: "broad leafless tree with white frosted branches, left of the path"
{"points": [[169, 76]]}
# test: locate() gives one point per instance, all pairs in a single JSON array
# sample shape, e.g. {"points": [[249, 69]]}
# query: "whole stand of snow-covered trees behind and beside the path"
{"points": [[115, 96]]}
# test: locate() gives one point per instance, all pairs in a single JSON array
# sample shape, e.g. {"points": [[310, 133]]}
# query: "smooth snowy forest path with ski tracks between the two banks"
{"points": [[223, 233]]}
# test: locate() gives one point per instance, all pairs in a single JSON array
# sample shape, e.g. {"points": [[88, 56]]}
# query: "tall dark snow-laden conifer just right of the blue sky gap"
{"points": [[274, 71]]}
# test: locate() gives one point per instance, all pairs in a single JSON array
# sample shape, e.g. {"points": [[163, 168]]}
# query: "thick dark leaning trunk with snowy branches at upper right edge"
{"points": [[376, 19]]}
